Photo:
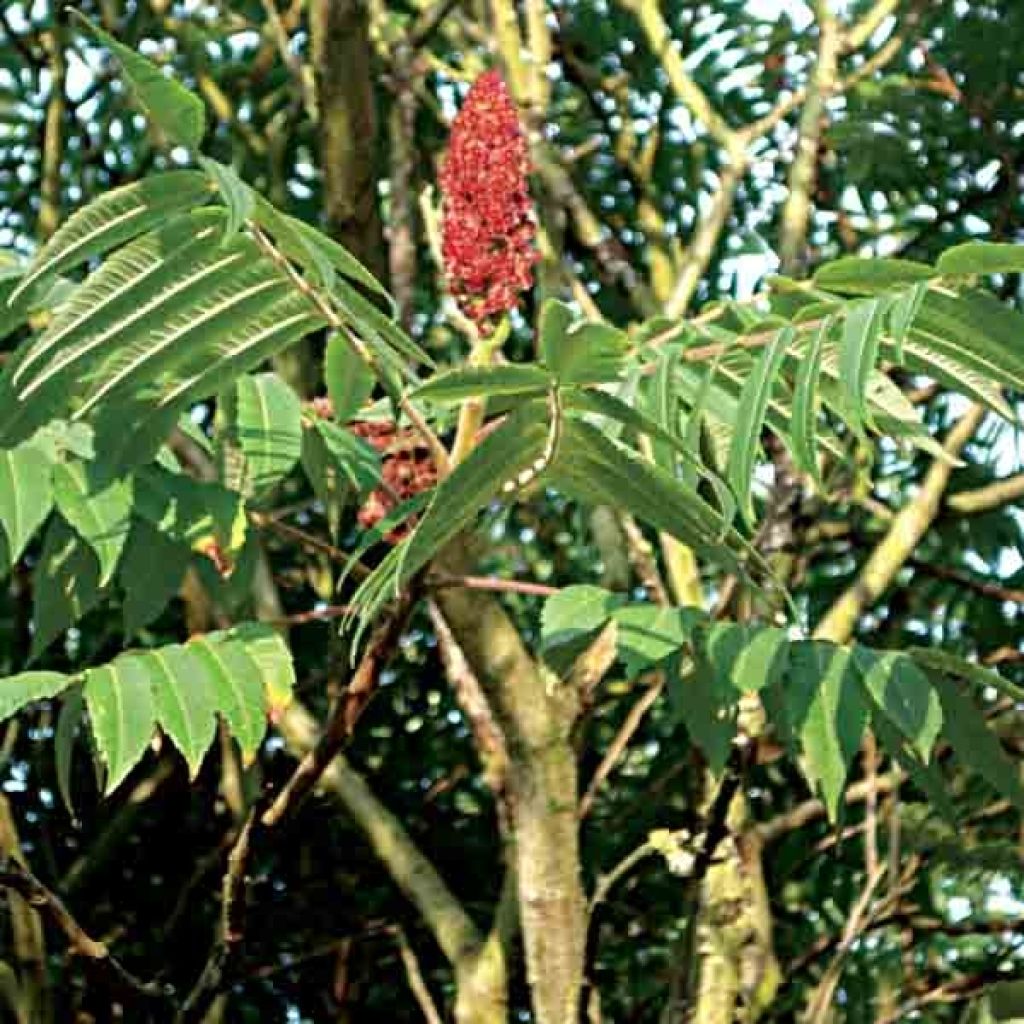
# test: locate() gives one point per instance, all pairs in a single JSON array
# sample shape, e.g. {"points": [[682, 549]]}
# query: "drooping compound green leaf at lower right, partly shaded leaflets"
{"points": [[821, 697]]}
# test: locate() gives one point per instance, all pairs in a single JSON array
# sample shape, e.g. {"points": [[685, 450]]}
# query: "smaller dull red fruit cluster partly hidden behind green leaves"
{"points": [[407, 470]]}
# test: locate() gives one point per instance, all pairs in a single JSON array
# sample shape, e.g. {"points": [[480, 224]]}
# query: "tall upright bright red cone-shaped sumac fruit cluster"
{"points": [[488, 219]]}
